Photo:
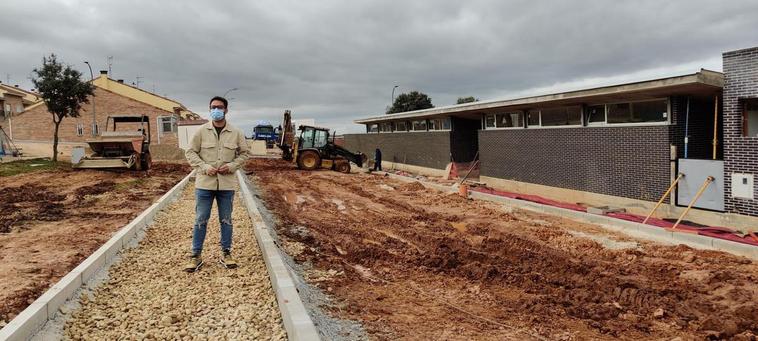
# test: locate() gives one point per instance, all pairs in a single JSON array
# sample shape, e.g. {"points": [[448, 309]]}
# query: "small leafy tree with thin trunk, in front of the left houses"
{"points": [[62, 90]]}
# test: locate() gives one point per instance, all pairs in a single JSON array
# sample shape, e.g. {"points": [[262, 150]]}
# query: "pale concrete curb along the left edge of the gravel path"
{"points": [[31, 319]]}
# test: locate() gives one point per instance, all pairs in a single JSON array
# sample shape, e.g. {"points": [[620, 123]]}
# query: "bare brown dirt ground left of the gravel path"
{"points": [[51, 220]]}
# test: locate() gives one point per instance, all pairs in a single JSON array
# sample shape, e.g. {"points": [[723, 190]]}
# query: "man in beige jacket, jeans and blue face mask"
{"points": [[216, 151]]}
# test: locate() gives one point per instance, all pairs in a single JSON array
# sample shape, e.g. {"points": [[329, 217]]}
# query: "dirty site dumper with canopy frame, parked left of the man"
{"points": [[125, 143]]}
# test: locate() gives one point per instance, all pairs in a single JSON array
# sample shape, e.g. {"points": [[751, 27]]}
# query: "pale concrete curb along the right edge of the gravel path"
{"points": [[297, 322]]}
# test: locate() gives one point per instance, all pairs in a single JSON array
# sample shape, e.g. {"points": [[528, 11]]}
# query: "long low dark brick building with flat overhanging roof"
{"points": [[621, 145]]}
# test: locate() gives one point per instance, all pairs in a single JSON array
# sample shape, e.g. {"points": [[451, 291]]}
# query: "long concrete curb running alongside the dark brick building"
{"points": [[633, 229]]}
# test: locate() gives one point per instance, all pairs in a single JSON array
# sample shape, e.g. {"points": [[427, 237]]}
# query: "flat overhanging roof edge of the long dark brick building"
{"points": [[703, 82]]}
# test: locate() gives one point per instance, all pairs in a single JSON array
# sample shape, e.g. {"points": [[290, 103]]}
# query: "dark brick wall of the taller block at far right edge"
{"points": [[740, 152]]}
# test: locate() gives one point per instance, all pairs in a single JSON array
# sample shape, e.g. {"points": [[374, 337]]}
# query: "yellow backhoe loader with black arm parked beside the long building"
{"points": [[312, 148]]}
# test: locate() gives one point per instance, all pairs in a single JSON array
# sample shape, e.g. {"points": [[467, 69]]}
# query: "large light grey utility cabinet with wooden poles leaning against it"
{"points": [[695, 173]]}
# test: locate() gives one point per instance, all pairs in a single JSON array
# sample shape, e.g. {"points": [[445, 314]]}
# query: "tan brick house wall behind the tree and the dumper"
{"points": [[36, 124]]}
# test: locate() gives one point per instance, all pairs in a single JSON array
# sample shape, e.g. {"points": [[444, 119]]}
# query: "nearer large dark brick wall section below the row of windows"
{"points": [[631, 162]]}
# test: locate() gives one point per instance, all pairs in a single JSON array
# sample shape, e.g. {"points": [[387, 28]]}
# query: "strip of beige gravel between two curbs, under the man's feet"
{"points": [[148, 296]]}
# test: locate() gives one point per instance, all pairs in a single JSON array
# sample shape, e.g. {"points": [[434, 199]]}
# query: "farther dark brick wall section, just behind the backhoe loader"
{"points": [[425, 149]]}
